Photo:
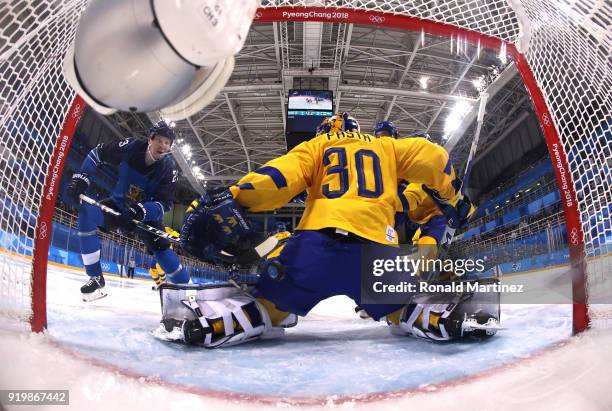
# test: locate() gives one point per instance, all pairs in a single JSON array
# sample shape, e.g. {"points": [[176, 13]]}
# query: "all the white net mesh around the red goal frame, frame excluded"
{"points": [[569, 53]]}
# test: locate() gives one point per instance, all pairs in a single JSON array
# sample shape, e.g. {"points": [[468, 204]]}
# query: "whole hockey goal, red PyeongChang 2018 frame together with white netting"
{"points": [[563, 59]]}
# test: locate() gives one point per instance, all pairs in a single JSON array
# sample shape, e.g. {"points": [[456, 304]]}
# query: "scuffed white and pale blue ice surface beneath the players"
{"points": [[104, 354]]}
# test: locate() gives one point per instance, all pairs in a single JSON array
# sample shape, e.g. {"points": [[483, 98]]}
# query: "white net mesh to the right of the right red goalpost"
{"points": [[569, 55]]}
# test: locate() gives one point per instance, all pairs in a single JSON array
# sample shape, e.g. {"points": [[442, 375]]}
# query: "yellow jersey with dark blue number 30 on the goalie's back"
{"points": [[351, 179]]}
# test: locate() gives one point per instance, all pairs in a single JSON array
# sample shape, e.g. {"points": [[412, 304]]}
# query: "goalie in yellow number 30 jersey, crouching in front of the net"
{"points": [[352, 184]]}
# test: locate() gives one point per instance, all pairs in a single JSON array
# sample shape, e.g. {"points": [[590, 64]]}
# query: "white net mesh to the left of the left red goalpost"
{"points": [[33, 101]]}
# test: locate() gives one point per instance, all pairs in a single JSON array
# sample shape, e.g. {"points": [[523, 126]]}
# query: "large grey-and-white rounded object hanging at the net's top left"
{"points": [[149, 55]]}
